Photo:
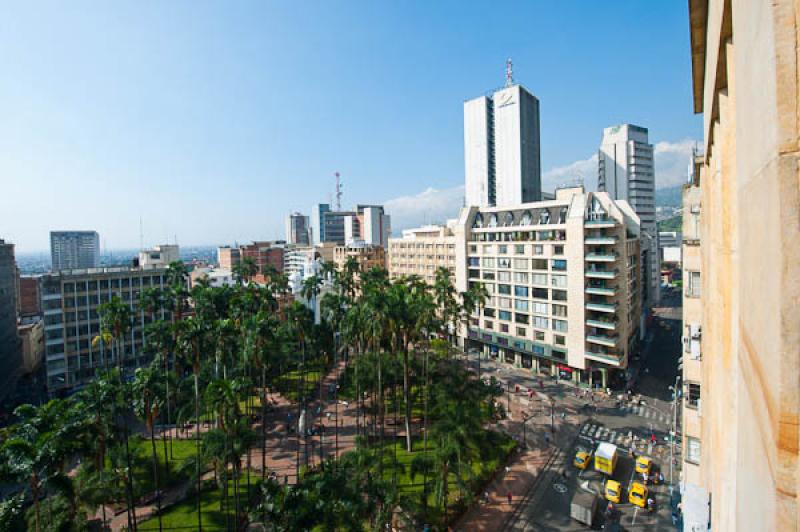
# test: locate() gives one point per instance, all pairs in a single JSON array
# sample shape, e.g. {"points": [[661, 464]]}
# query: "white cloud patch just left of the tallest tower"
{"points": [[429, 206]]}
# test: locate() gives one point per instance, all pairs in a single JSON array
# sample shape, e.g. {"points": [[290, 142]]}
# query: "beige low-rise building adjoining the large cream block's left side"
{"points": [[422, 251]]}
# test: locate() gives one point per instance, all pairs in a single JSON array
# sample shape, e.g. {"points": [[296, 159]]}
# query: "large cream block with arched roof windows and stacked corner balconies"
{"points": [[563, 283]]}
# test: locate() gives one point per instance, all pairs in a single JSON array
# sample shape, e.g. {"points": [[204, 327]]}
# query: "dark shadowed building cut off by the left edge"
{"points": [[10, 354]]}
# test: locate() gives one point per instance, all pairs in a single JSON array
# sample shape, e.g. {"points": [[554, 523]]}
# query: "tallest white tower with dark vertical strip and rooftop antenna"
{"points": [[501, 148]]}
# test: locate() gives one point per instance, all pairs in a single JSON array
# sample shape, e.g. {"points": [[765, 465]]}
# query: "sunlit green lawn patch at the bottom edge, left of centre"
{"points": [[184, 514]]}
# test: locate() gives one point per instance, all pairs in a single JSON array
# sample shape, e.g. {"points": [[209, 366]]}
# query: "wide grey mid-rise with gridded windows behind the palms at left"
{"points": [[70, 301]]}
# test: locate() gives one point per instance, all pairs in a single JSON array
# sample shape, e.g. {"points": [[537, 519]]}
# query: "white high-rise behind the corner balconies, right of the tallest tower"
{"points": [[626, 172]]}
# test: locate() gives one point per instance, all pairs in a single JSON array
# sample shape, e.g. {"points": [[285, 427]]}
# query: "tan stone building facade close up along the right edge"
{"points": [[744, 73]]}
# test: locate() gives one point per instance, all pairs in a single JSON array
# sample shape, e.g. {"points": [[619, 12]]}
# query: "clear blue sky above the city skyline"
{"points": [[211, 121]]}
